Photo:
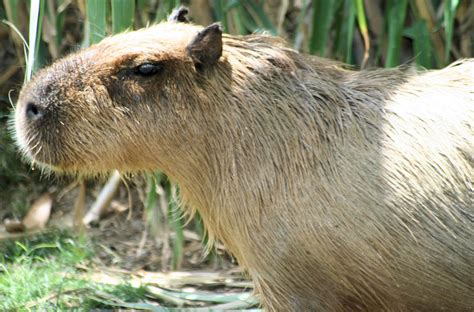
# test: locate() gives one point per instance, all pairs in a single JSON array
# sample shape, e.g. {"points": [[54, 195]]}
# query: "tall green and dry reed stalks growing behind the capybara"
{"points": [[382, 33]]}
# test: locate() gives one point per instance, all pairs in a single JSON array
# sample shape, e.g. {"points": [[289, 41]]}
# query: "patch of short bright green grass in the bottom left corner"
{"points": [[41, 273]]}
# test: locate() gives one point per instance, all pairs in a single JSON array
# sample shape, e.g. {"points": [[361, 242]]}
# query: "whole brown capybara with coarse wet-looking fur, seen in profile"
{"points": [[336, 189]]}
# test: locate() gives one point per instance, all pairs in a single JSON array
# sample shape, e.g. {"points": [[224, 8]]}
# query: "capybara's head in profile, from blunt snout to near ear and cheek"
{"points": [[81, 113]]}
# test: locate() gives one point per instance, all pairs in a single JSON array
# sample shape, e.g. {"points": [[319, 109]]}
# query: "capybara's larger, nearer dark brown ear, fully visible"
{"points": [[206, 47]]}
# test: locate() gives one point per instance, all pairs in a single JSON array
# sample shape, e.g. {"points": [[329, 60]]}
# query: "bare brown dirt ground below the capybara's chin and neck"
{"points": [[124, 237]]}
